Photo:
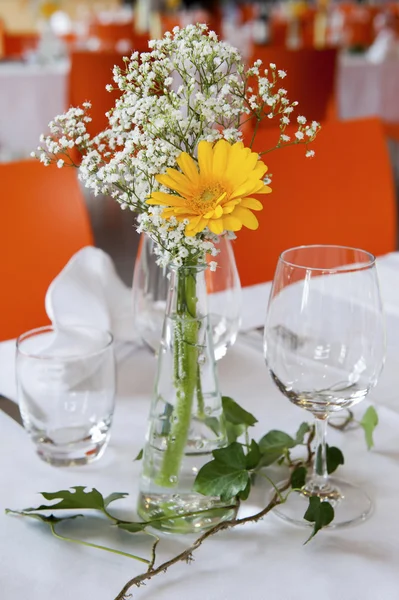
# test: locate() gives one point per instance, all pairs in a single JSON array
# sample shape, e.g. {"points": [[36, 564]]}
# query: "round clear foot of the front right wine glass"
{"points": [[354, 505]]}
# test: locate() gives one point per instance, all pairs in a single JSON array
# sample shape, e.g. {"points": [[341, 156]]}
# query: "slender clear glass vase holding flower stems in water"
{"points": [[186, 420]]}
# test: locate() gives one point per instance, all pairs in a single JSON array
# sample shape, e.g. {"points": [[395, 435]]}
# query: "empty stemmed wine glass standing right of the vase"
{"points": [[324, 346]]}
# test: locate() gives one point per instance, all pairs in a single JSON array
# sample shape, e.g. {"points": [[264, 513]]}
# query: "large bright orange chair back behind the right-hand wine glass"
{"points": [[344, 195]]}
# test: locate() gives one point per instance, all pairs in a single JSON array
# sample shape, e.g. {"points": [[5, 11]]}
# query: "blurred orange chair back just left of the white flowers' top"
{"points": [[90, 73]]}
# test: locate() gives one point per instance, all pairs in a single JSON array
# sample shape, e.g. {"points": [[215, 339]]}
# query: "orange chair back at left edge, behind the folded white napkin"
{"points": [[43, 223]]}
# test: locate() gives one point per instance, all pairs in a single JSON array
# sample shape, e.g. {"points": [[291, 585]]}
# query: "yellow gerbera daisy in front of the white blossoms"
{"points": [[218, 195]]}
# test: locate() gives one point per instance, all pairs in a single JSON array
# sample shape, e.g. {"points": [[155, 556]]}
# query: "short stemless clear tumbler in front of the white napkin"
{"points": [[66, 391]]}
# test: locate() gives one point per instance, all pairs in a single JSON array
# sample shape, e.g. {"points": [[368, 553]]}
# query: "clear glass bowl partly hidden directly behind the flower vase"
{"points": [[150, 290]]}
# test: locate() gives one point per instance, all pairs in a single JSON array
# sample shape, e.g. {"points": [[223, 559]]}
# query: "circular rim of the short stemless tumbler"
{"points": [[53, 328]]}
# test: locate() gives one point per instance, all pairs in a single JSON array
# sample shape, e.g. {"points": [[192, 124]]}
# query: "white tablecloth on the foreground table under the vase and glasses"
{"points": [[266, 560]]}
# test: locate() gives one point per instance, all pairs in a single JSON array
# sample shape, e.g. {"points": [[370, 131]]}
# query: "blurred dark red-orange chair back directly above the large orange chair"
{"points": [[311, 78]]}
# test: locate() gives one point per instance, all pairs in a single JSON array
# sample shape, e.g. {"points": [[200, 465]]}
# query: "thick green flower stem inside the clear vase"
{"points": [[185, 376]]}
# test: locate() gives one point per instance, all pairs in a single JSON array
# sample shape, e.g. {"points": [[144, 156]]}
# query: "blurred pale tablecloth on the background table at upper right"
{"points": [[367, 89]]}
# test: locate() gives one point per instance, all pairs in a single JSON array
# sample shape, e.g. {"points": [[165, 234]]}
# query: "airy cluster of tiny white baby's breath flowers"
{"points": [[189, 87]]}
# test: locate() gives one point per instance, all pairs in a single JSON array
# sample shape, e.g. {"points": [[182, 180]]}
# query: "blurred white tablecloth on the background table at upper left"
{"points": [[31, 95]]}
